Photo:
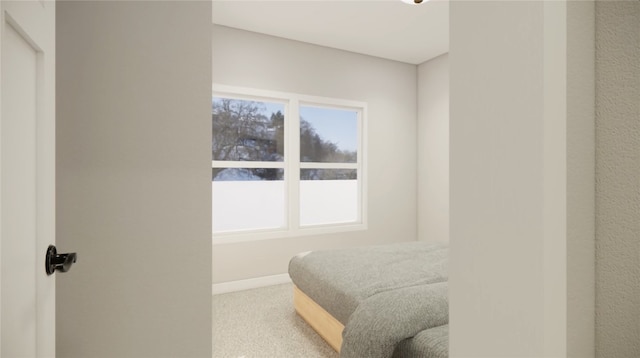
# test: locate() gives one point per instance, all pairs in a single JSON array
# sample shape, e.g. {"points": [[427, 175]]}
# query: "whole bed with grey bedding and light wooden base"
{"points": [[379, 301]]}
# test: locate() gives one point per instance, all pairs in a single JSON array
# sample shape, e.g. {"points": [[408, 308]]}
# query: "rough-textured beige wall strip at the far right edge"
{"points": [[618, 179]]}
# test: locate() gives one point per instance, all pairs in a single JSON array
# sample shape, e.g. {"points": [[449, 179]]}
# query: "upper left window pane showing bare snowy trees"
{"points": [[247, 130]]}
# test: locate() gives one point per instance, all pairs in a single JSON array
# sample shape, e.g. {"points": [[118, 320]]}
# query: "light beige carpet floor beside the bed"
{"points": [[261, 323]]}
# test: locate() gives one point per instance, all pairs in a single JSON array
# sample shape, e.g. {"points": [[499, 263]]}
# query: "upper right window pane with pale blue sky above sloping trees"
{"points": [[328, 135]]}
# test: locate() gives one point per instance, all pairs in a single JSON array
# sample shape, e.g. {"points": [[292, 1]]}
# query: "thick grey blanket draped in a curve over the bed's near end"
{"points": [[385, 319]]}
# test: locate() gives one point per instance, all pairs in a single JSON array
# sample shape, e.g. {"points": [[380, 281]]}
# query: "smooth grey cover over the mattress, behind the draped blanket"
{"points": [[339, 280]]}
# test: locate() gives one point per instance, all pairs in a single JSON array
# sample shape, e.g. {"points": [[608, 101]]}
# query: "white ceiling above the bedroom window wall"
{"points": [[388, 29]]}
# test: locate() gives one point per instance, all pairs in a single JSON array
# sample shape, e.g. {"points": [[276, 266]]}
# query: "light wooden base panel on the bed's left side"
{"points": [[320, 320]]}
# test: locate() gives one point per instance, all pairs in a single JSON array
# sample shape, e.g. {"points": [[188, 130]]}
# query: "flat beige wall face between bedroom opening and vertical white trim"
{"points": [[497, 229]]}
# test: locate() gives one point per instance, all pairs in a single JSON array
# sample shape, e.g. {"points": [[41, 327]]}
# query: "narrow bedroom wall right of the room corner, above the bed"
{"points": [[433, 149]]}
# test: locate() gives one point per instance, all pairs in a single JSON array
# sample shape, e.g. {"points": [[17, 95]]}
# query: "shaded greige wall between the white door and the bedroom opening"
{"points": [[133, 178]]}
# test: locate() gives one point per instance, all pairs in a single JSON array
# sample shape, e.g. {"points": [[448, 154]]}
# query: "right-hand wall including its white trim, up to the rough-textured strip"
{"points": [[519, 228]]}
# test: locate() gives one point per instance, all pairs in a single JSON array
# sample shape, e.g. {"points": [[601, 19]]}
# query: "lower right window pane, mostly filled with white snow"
{"points": [[329, 196]]}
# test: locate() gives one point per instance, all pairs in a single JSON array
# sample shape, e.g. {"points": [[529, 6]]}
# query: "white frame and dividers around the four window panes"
{"points": [[292, 165]]}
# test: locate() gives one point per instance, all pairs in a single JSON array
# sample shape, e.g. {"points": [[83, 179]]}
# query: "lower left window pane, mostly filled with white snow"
{"points": [[243, 200]]}
